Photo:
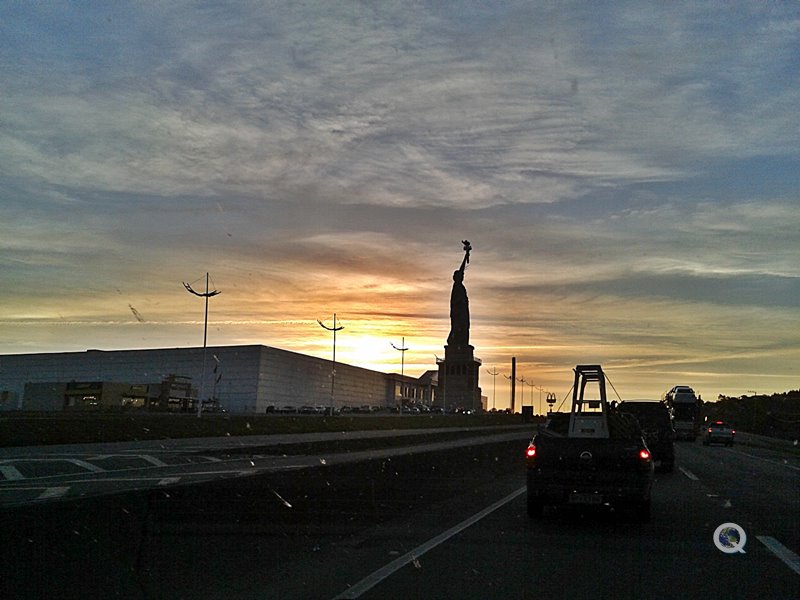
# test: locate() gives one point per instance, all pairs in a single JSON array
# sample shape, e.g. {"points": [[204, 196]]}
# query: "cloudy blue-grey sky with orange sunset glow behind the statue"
{"points": [[627, 173]]}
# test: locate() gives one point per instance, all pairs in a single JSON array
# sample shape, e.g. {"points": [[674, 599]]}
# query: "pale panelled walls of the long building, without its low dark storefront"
{"points": [[251, 378]]}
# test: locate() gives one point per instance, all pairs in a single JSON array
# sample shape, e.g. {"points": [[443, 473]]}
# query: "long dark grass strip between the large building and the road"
{"points": [[27, 429]]}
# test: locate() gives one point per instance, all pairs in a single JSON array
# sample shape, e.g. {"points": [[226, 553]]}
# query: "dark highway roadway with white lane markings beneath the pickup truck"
{"points": [[446, 523]]}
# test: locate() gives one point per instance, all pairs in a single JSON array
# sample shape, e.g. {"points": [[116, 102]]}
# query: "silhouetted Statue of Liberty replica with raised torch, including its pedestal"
{"points": [[458, 372]]}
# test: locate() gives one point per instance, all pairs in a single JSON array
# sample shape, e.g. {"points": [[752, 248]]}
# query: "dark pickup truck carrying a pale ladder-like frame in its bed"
{"points": [[593, 455]]}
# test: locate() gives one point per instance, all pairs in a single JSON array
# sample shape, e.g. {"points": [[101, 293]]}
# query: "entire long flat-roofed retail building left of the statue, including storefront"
{"points": [[238, 379]]}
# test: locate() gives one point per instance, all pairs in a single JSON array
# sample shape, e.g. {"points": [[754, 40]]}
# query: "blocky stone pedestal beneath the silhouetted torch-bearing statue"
{"points": [[458, 379]]}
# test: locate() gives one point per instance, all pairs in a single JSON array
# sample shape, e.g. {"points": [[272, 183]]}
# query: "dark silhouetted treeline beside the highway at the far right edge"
{"points": [[777, 415]]}
